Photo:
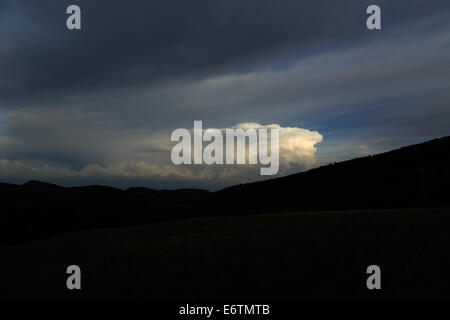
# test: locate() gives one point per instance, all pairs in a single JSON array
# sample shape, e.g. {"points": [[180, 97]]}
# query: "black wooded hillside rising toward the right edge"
{"points": [[414, 176]]}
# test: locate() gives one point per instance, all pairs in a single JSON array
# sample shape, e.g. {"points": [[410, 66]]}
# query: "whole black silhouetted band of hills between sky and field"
{"points": [[414, 176]]}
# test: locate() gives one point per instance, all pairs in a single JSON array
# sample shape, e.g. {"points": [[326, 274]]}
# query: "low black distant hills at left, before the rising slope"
{"points": [[38, 209]]}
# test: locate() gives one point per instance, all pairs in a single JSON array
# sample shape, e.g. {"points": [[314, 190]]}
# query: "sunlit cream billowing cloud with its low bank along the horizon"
{"points": [[297, 152]]}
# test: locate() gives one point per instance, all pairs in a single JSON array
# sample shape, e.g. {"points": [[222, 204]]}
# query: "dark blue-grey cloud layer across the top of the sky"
{"points": [[124, 43]]}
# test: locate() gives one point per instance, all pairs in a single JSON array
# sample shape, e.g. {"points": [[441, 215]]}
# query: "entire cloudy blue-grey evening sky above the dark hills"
{"points": [[98, 105]]}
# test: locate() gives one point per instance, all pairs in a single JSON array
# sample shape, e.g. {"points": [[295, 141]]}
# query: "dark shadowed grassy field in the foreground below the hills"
{"points": [[281, 256]]}
